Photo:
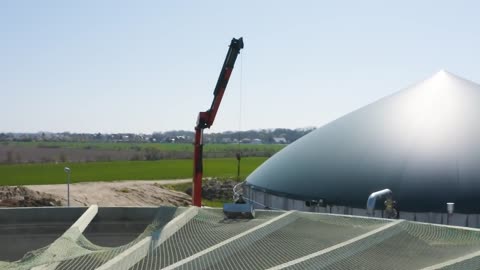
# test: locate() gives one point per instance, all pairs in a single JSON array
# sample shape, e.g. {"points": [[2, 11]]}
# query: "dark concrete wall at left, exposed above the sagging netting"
{"points": [[27, 229]]}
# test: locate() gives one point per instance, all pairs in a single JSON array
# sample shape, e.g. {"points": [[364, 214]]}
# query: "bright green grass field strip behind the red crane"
{"points": [[37, 174]]}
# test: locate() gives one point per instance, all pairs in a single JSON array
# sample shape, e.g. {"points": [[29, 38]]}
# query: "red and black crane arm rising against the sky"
{"points": [[205, 119]]}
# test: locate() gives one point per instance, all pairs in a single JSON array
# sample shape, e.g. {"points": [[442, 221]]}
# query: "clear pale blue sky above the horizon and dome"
{"points": [[145, 66]]}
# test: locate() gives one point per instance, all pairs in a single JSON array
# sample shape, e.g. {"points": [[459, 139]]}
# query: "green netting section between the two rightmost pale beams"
{"points": [[408, 245]]}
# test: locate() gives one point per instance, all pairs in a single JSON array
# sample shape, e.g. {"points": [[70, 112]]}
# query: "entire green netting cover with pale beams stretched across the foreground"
{"points": [[274, 239]]}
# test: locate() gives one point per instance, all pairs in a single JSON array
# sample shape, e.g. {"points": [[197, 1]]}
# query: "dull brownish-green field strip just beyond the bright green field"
{"points": [[61, 152]]}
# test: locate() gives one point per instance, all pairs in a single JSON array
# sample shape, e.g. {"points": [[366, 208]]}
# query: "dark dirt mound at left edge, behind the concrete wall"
{"points": [[20, 196]]}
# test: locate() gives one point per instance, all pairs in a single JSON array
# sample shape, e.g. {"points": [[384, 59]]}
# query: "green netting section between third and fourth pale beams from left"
{"points": [[294, 236]]}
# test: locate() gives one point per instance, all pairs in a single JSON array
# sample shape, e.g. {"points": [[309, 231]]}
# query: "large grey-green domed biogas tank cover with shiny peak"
{"points": [[423, 143]]}
